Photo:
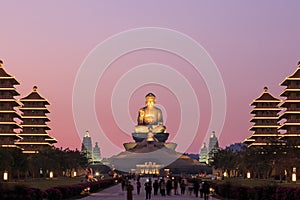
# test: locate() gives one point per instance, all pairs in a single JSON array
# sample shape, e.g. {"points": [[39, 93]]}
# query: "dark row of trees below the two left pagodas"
{"points": [[23, 166]]}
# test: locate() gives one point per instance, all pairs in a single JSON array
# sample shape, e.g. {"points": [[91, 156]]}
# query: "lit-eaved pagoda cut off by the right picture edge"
{"points": [[291, 106]]}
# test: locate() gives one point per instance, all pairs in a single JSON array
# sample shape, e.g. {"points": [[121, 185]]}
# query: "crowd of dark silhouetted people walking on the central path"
{"points": [[167, 186]]}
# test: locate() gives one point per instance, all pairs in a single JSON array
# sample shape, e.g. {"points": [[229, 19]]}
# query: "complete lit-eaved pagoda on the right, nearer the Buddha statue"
{"points": [[265, 119]]}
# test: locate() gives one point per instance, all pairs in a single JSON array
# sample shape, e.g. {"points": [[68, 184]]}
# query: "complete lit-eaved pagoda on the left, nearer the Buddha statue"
{"points": [[34, 117]]}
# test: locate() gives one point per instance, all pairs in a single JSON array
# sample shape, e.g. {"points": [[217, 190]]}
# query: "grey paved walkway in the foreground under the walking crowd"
{"points": [[115, 192]]}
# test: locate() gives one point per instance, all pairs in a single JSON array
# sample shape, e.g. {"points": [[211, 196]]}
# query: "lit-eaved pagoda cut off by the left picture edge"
{"points": [[8, 114]]}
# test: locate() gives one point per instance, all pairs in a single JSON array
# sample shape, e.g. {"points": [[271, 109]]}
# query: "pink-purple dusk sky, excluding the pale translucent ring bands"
{"points": [[254, 44]]}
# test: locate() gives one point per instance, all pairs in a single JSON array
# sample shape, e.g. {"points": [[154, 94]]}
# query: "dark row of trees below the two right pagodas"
{"points": [[263, 162]]}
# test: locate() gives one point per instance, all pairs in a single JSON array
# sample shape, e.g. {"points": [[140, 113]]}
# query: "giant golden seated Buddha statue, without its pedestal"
{"points": [[150, 117]]}
